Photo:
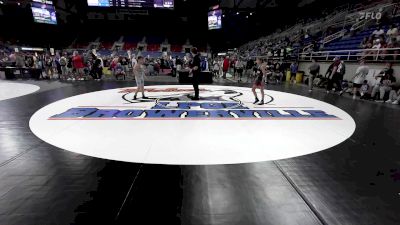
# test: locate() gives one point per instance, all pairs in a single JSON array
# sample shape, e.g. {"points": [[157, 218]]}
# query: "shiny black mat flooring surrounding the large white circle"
{"points": [[354, 182]]}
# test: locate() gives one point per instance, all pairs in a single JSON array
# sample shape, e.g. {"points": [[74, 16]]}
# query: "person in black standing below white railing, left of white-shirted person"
{"points": [[335, 74]]}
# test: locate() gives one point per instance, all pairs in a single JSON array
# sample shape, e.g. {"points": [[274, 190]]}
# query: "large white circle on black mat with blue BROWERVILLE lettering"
{"points": [[223, 127]]}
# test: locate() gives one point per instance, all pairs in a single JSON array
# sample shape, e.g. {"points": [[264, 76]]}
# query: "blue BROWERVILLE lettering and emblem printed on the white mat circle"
{"points": [[175, 104]]}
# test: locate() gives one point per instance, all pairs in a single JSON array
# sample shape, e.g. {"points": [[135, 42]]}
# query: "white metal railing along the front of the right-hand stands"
{"points": [[352, 55]]}
